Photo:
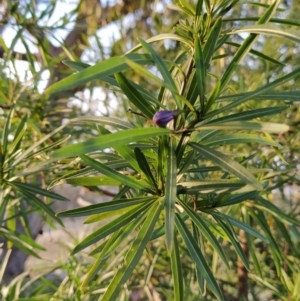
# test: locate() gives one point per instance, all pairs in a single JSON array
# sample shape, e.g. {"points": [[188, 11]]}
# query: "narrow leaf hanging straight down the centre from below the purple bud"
{"points": [[170, 194]]}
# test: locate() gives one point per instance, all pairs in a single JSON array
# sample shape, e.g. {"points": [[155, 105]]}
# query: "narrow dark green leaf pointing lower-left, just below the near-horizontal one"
{"points": [[111, 227]]}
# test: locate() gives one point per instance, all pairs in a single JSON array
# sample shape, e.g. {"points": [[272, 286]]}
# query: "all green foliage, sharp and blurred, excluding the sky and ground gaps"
{"points": [[203, 147]]}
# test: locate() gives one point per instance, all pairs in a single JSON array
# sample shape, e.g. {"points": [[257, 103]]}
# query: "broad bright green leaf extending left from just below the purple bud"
{"points": [[119, 138]]}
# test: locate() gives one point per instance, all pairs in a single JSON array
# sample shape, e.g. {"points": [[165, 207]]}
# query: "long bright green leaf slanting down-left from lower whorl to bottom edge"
{"points": [[134, 254]]}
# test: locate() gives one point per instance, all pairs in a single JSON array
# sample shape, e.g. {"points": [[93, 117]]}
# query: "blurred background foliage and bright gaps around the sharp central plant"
{"points": [[36, 37]]}
